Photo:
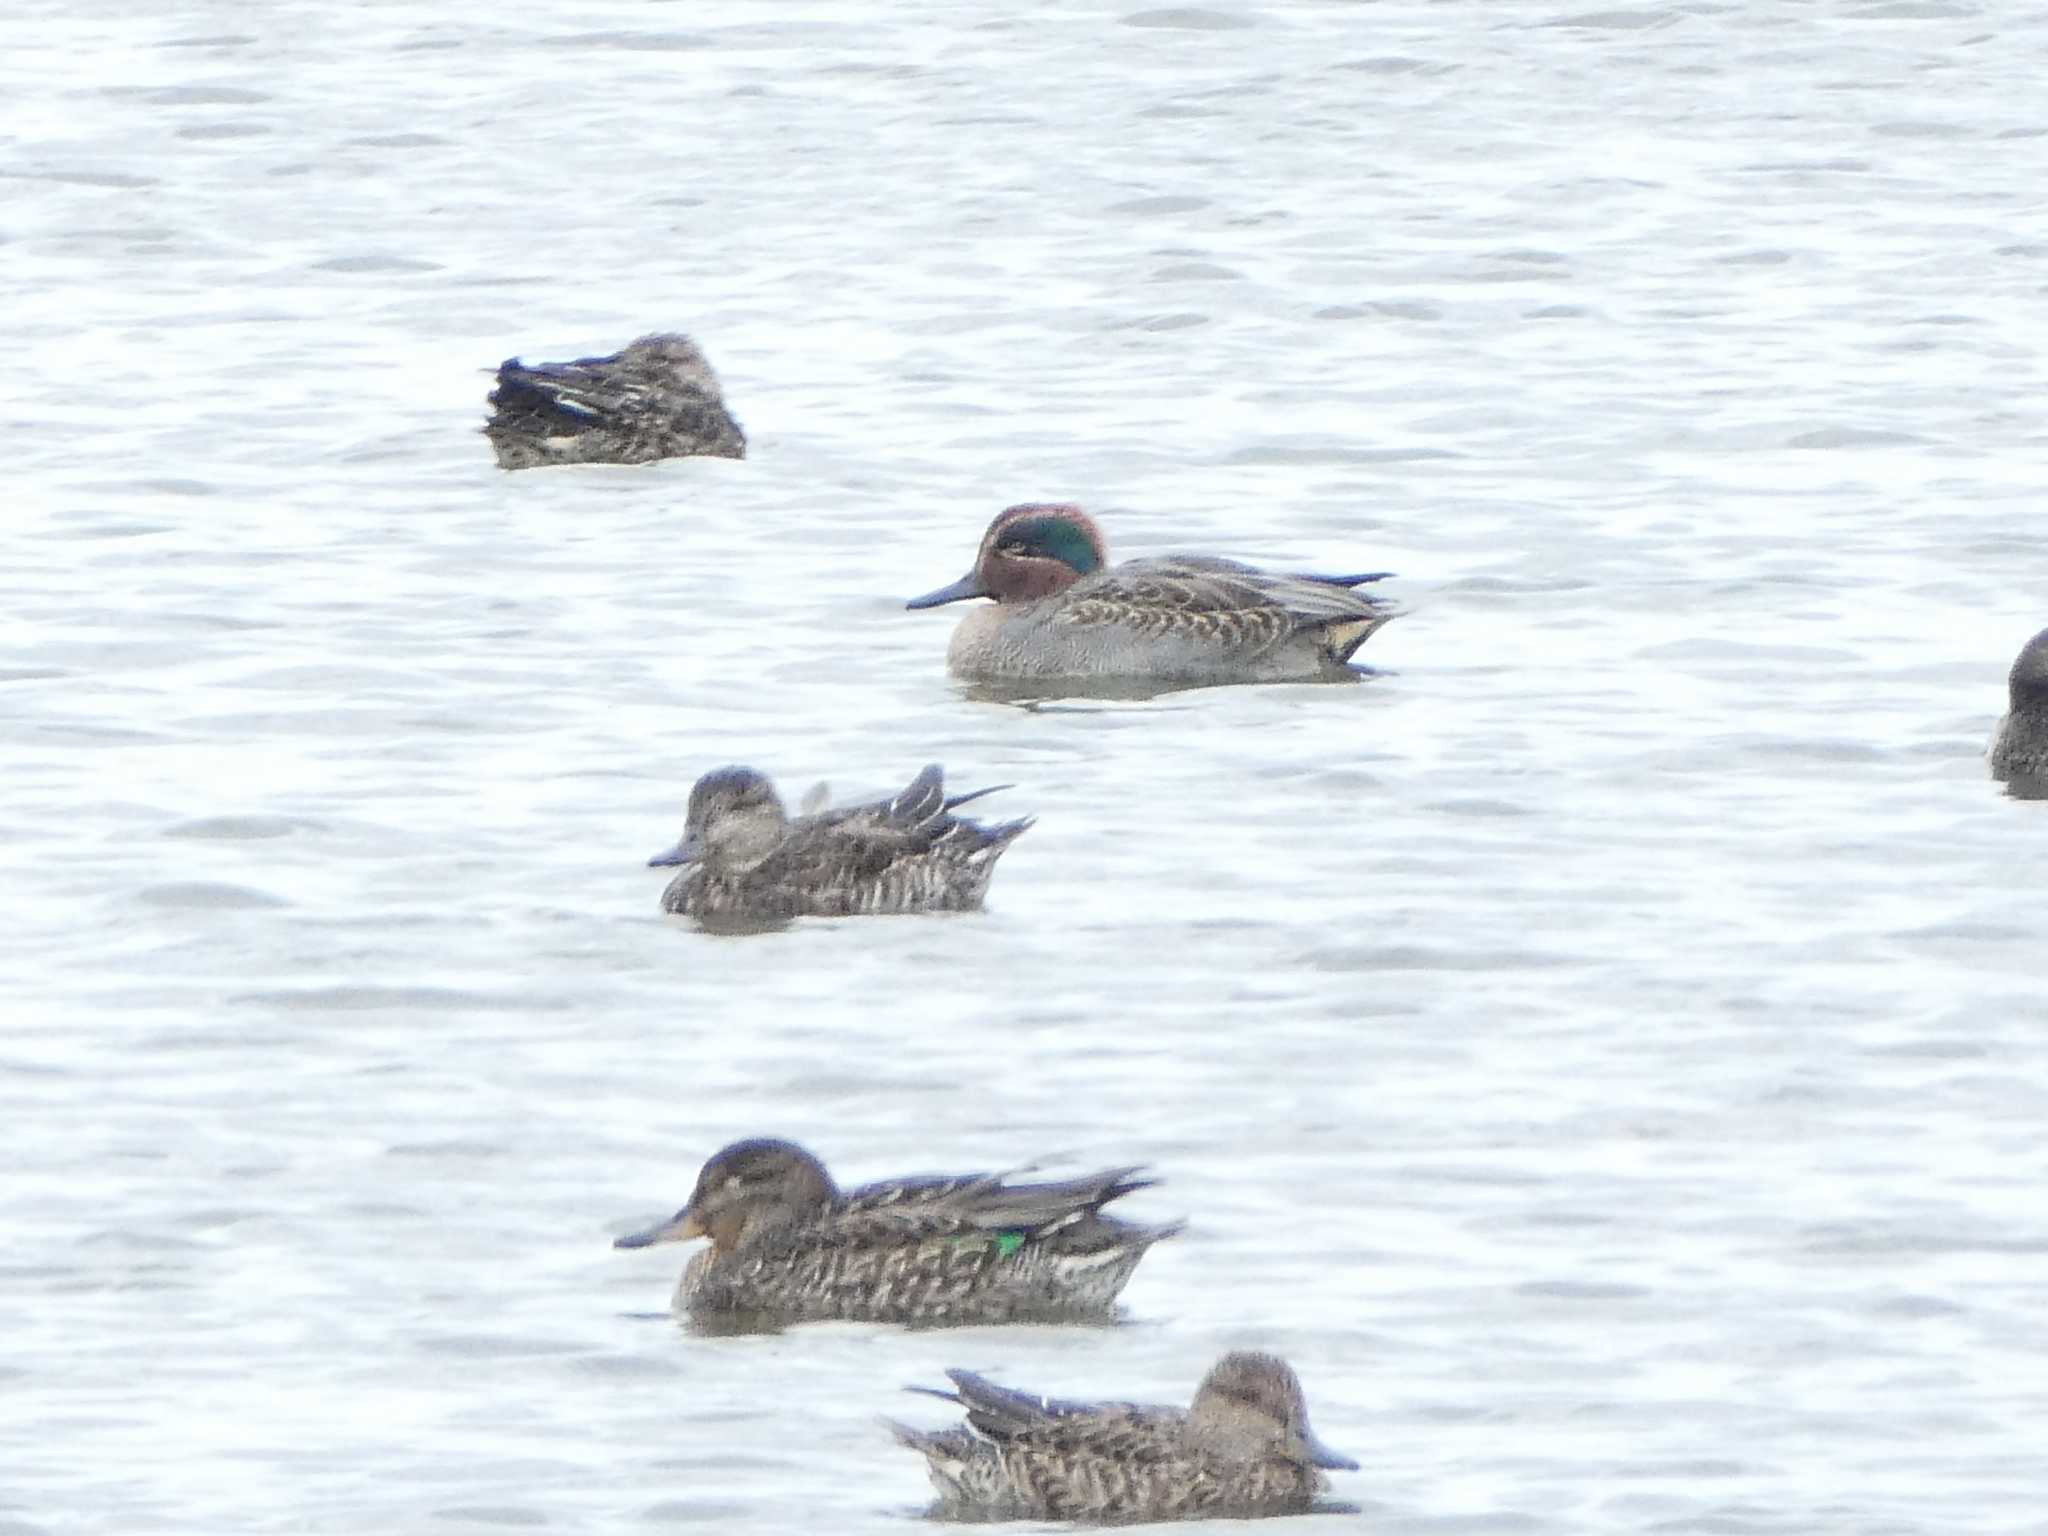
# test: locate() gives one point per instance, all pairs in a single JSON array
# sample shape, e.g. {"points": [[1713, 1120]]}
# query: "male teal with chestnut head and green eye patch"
{"points": [[1064, 611]]}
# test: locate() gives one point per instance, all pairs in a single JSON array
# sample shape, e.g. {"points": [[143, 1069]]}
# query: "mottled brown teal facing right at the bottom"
{"points": [[1244, 1449]]}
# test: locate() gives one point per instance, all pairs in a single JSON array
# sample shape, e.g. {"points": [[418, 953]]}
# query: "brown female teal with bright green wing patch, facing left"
{"points": [[787, 1246]]}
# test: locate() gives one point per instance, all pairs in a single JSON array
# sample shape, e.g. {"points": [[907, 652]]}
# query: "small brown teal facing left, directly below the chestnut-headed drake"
{"points": [[744, 859]]}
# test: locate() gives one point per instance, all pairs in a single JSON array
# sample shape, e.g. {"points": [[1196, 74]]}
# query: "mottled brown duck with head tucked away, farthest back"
{"points": [[654, 398]]}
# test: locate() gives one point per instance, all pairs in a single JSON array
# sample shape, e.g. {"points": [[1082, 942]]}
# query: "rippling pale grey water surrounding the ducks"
{"points": [[1605, 1052]]}
